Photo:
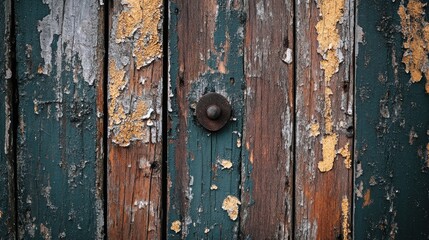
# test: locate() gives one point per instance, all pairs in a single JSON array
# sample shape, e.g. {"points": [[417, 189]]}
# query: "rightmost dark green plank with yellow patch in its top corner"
{"points": [[392, 123]]}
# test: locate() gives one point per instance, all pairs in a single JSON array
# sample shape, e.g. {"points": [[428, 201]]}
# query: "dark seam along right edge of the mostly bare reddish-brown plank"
{"points": [[295, 59]]}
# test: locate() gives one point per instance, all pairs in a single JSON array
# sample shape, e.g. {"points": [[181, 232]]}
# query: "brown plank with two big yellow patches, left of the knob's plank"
{"points": [[135, 120]]}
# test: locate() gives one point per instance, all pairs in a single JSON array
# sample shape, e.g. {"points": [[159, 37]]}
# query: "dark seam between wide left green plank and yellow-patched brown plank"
{"points": [[105, 111]]}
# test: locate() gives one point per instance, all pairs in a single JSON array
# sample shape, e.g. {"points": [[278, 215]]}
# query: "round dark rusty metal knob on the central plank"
{"points": [[213, 111]]}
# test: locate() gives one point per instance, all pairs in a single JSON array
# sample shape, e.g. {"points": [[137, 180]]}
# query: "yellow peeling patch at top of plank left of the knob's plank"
{"points": [[140, 21]]}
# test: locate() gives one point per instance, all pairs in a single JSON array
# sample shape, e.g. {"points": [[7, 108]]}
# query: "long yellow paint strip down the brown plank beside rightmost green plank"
{"points": [[329, 48]]}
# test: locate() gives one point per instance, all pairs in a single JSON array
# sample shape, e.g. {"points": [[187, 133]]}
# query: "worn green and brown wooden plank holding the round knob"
{"points": [[206, 55]]}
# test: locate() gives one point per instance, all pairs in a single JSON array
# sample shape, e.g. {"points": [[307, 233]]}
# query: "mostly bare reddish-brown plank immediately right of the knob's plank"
{"points": [[267, 170]]}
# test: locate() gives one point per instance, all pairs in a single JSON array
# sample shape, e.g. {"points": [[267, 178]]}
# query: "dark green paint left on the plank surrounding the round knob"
{"points": [[204, 149]]}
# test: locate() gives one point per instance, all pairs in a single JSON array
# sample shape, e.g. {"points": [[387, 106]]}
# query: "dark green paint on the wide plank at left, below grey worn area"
{"points": [[57, 160]]}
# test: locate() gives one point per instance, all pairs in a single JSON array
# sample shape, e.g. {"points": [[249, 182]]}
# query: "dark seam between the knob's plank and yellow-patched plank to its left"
{"points": [[165, 86]]}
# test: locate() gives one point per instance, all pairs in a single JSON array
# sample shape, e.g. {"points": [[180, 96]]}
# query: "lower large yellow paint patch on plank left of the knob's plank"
{"points": [[125, 126]]}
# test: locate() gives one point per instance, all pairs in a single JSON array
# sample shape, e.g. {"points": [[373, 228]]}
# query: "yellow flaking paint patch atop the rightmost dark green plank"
{"points": [[415, 31]]}
